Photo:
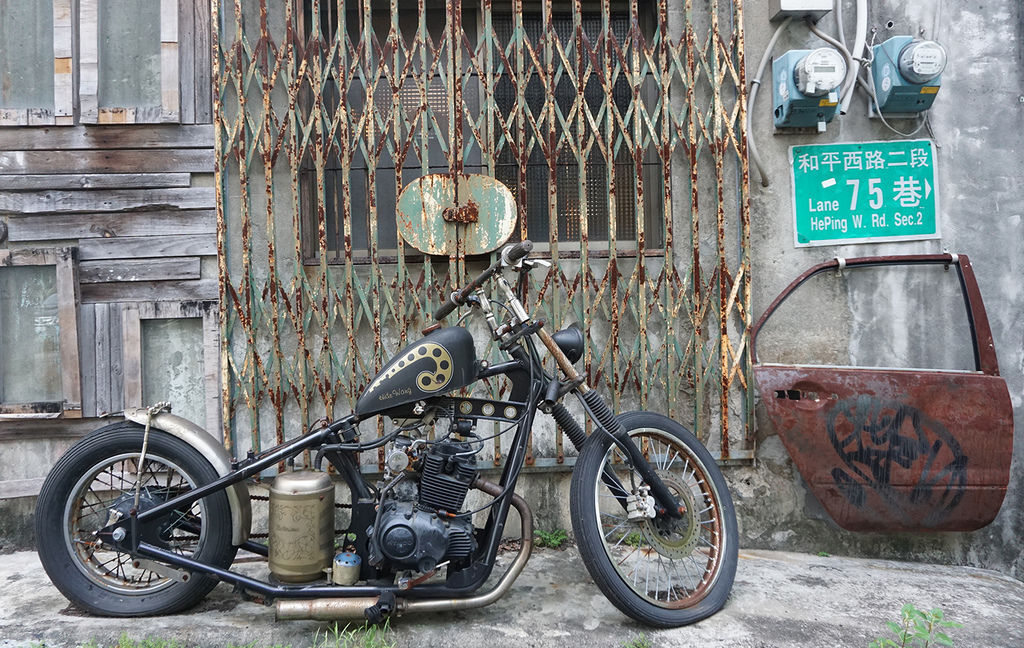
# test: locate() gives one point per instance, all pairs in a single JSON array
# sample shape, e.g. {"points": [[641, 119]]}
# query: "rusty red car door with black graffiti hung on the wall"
{"points": [[897, 450]]}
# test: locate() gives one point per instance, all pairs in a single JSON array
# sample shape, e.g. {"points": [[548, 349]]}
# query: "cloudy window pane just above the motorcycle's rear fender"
{"points": [[173, 366]]}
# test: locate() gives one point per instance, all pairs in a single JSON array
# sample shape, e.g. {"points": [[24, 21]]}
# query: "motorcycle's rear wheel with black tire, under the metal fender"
{"points": [[95, 484]]}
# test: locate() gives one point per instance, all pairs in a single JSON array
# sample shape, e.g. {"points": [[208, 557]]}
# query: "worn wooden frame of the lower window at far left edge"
{"points": [[66, 263]]}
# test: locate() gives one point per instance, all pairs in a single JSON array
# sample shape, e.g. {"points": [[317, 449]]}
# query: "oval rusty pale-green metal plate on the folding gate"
{"points": [[446, 214]]}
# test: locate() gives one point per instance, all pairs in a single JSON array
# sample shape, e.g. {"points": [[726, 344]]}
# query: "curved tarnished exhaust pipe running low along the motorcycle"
{"points": [[355, 609]]}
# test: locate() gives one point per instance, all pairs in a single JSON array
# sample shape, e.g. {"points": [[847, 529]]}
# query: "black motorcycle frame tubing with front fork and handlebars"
{"points": [[532, 390]]}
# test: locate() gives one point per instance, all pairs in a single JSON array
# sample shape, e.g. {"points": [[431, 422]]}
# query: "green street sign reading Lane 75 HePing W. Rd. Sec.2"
{"points": [[865, 193]]}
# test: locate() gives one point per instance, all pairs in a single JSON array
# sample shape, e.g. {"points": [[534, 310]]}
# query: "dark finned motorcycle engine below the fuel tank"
{"points": [[415, 531]]}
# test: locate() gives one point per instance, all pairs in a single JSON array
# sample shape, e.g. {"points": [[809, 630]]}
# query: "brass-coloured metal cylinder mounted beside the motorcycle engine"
{"points": [[302, 540]]}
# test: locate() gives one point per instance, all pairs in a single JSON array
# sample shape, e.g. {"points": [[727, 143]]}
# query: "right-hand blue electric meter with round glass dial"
{"points": [[908, 74]]}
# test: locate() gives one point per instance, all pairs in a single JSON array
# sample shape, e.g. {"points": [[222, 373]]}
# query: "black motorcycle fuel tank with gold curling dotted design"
{"points": [[443, 362]]}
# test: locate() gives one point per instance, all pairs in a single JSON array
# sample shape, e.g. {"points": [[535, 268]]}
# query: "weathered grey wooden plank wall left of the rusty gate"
{"points": [[138, 205]]}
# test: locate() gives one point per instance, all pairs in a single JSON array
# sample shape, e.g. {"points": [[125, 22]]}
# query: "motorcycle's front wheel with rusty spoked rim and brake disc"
{"points": [[660, 572]]}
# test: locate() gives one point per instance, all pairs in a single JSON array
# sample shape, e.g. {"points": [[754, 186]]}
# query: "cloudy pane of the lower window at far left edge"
{"points": [[30, 365]]}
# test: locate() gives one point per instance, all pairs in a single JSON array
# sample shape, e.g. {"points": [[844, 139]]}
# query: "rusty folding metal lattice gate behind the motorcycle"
{"points": [[619, 126]]}
